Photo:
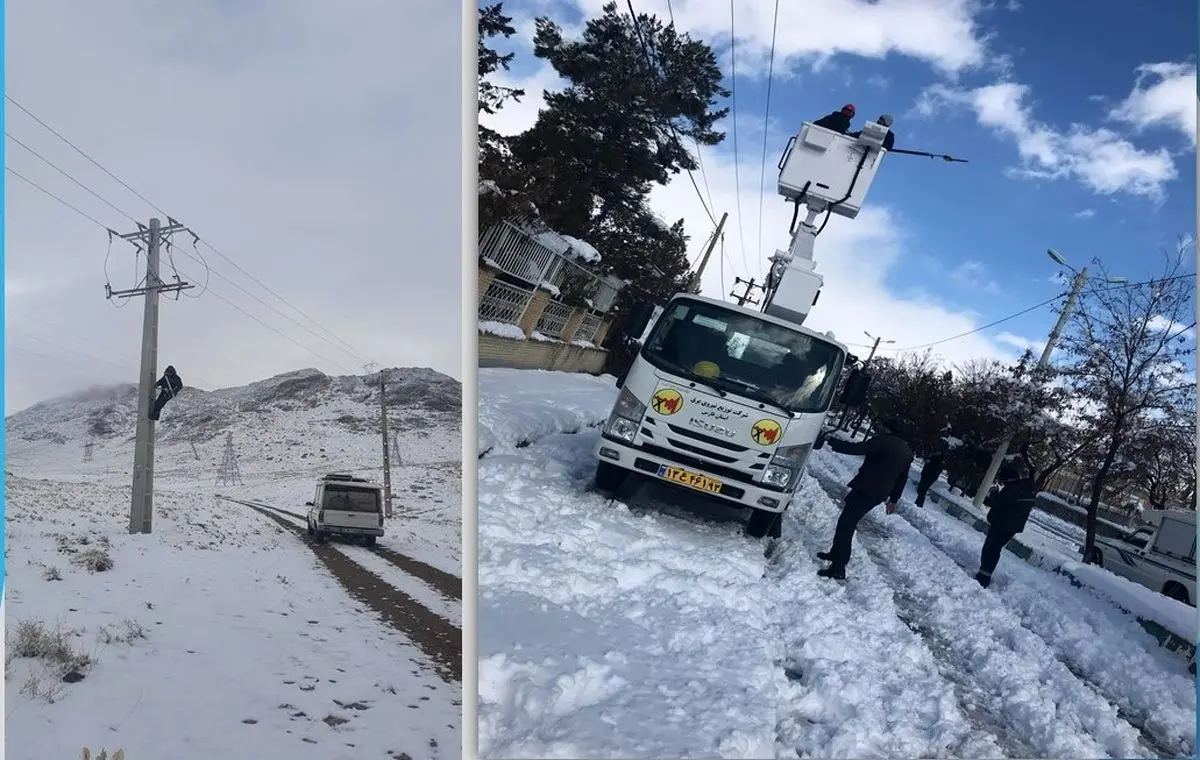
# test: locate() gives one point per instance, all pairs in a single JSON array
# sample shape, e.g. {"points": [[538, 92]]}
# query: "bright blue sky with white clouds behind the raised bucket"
{"points": [[1079, 124]]}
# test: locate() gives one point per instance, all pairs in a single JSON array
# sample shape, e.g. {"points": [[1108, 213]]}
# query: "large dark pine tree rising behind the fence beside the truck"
{"points": [[589, 164]]}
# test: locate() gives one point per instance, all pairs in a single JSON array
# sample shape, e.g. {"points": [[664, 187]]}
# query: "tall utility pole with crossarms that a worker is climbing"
{"points": [[153, 237]]}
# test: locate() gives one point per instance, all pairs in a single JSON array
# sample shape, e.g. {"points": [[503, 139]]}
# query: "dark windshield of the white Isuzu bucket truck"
{"points": [[741, 354]]}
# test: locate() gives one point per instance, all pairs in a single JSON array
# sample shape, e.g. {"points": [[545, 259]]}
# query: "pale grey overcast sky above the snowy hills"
{"points": [[315, 143]]}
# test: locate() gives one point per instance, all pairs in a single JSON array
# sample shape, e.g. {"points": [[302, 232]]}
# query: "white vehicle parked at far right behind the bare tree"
{"points": [[1161, 555]]}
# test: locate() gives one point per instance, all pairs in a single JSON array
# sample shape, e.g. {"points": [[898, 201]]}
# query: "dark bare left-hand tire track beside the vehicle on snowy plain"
{"points": [[435, 637]]}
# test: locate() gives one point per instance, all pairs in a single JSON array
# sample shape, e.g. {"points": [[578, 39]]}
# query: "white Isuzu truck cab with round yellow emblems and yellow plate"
{"points": [[725, 402]]}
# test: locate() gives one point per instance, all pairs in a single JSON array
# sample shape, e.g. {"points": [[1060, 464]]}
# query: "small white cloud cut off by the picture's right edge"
{"points": [[1163, 95]]}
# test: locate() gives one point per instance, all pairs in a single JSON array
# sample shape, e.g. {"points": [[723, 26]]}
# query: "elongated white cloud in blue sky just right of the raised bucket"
{"points": [[1100, 159]]}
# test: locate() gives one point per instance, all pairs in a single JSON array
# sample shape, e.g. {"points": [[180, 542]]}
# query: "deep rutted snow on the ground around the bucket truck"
{"points": [[610, 632]]}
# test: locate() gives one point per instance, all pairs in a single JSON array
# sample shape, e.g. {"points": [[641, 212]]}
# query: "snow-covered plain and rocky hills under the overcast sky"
{"points": [[226, 632]]}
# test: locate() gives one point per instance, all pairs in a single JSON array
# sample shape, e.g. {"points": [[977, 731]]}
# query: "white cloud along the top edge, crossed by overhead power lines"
{"points": [[943, 33]]}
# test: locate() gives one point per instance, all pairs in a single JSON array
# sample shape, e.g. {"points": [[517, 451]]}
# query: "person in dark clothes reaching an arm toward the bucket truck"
{"points": [[884, 475]]}
